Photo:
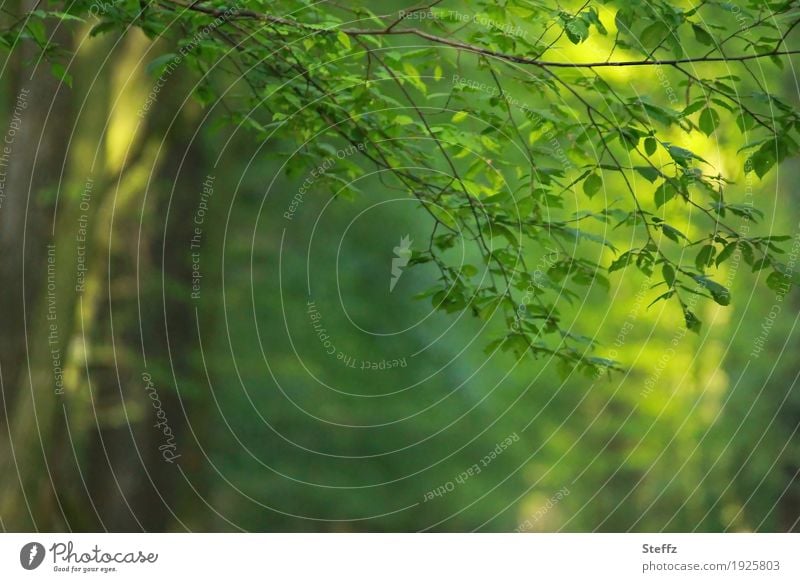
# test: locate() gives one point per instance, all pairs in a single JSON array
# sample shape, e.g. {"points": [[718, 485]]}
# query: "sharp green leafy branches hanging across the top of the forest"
{"points": [[506, 138]]}
